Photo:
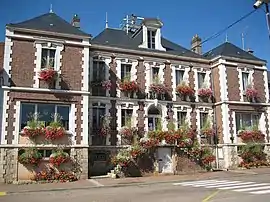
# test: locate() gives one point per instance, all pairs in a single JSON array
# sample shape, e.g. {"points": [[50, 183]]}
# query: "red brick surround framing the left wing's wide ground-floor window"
{"points": [[43, 98]]}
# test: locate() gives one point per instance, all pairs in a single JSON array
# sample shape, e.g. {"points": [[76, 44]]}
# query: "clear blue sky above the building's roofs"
{"points": [[182, 19]]}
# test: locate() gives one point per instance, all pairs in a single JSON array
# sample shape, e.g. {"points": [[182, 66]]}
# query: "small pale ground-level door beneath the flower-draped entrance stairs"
{"points": [[165, 160]]}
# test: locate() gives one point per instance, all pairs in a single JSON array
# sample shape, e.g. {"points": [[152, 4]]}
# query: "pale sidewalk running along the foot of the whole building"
{"points": [[108, 182]]}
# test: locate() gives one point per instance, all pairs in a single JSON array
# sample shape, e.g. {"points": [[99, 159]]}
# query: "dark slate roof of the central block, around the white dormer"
{"points": [[119, 38]]}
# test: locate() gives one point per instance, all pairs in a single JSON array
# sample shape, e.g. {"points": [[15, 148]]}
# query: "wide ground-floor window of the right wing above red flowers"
{"points": [[246, 121]]}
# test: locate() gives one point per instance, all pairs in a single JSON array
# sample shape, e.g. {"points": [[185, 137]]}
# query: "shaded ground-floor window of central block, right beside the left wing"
{"points": [[99, 111]]}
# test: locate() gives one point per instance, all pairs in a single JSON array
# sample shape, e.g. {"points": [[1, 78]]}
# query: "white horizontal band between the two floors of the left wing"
{"points": [[6, 88]]}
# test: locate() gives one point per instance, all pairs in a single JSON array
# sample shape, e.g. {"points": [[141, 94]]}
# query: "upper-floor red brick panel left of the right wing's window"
{"points": [[233, 83]]}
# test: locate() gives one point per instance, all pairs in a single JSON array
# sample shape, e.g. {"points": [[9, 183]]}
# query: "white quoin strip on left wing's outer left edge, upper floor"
{"points": [[7, 58]]}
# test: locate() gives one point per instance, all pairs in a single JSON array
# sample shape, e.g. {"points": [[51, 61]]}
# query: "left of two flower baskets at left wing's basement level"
{"points": [[30, 156]]}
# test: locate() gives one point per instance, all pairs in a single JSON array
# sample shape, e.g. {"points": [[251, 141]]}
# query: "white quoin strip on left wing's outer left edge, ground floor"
{"points": [[5, 117]]}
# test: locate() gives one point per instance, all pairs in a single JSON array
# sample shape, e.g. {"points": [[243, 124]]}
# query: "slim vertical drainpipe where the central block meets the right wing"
{"points": [[214, 120]]}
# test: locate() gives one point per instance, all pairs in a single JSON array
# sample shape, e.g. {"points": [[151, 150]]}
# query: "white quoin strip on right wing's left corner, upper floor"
{"points": [[223, 83]]}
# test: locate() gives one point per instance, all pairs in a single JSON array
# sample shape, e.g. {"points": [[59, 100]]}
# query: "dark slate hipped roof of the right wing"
{"points": [[230, 50]]}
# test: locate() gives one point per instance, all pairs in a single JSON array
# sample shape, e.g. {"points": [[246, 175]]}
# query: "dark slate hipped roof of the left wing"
{"points": [[50, 22]]}
